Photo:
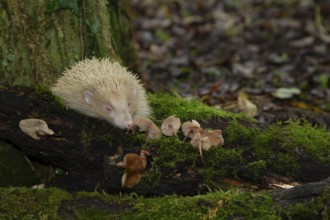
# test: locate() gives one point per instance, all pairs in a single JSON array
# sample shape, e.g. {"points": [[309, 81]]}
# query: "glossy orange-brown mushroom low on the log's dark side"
{"points": [[134, 164]]}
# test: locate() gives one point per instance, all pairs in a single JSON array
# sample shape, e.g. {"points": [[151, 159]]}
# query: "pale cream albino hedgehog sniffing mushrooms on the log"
{"points": [[103, 89]]}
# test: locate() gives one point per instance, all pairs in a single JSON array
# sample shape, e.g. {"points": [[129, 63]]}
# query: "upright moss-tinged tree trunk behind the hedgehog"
{"points": [[39, 39]]}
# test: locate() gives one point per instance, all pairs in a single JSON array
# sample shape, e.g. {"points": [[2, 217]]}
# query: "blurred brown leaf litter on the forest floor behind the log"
{"points": [[270, 59]]}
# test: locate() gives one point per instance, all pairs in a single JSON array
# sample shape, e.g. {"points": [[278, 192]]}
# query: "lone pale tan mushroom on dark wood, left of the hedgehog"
{"points": [[35, 128]]}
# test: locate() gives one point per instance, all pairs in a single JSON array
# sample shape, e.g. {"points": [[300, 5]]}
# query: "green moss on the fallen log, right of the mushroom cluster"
{"points": [[281, 147]]}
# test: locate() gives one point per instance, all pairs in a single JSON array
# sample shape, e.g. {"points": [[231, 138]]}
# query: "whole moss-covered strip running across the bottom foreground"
{"points": [[23, 203]]}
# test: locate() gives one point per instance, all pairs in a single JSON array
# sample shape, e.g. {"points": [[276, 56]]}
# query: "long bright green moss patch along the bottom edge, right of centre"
{"points": [[218, 205]]}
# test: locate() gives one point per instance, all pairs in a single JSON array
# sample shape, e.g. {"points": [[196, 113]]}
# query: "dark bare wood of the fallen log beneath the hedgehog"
{"points": [[83, 147]]}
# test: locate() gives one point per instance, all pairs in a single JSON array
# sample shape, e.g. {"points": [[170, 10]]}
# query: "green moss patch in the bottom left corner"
{"points": [[23, 203]]}
